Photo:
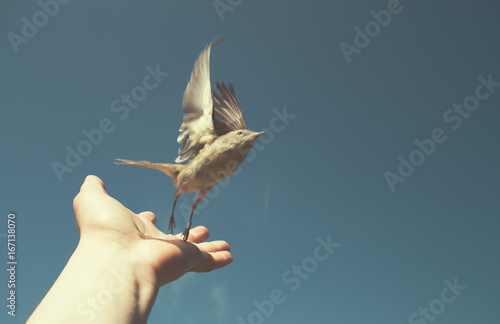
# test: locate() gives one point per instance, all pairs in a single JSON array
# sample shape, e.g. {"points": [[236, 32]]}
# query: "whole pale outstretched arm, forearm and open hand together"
{"points": [[121, 262]]}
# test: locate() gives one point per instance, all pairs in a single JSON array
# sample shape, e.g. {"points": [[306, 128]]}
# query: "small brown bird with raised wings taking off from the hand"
{"points": [[213, 134]]}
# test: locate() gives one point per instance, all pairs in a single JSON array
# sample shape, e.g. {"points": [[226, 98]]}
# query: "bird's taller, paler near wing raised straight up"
{"points": [[197, 128]]}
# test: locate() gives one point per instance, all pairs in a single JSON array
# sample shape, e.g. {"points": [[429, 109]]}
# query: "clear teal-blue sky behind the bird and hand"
{"points": [[319, 176]]}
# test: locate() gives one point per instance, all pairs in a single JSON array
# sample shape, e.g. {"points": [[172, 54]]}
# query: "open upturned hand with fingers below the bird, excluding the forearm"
{"points": [[107, 224]]}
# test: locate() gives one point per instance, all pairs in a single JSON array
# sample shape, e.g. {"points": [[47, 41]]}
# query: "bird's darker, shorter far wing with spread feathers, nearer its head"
{"points": [[227, 113]]}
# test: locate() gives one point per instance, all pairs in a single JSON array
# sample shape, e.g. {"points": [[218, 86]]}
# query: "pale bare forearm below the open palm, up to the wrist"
{"points": [[98, 285]]}
